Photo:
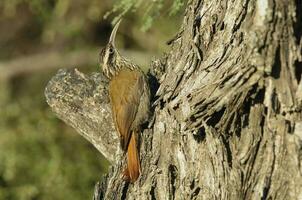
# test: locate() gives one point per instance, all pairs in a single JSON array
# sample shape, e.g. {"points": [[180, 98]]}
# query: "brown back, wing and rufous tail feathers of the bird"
{"points": [[125, 94]]}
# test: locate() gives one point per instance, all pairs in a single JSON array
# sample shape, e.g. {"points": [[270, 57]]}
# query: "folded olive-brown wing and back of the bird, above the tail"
{"points": [[125, 92]]}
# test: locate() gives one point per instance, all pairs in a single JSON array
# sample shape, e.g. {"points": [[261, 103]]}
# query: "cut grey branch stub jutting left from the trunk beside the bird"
{"points": [[82, 102]]}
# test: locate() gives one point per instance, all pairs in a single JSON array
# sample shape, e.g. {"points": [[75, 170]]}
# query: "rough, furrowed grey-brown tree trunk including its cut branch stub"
{"points": [[227, 120]]}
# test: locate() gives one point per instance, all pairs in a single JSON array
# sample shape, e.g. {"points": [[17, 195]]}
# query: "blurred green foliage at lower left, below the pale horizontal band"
{"points": [[40, 157]]}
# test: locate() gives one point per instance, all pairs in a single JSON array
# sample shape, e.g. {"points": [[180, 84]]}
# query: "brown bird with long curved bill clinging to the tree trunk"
{"points": [[129, 94]]}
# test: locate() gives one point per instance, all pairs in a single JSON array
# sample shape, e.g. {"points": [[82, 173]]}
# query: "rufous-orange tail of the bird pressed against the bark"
{"points": [[132, 173]]}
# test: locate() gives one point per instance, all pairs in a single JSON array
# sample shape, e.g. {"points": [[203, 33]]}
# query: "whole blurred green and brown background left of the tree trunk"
{"points": [[40, 156]]}
